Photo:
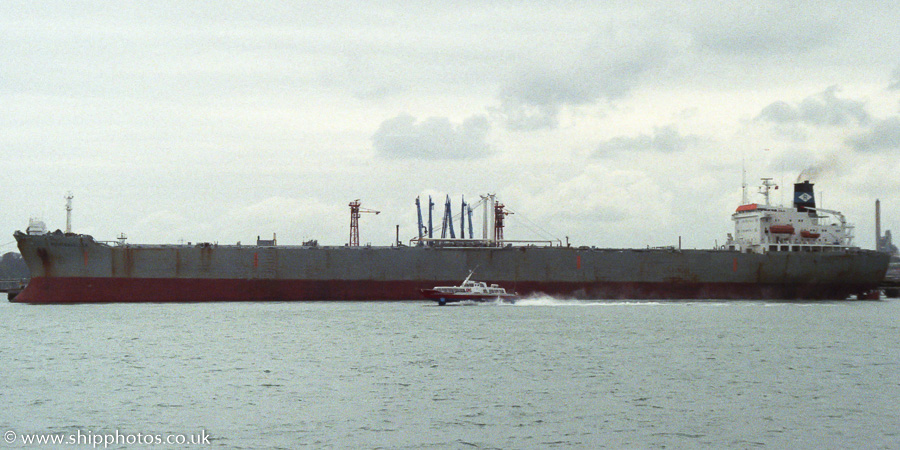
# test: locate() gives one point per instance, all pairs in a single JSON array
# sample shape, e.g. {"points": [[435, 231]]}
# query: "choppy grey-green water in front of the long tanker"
{"points": [[540, 374]]}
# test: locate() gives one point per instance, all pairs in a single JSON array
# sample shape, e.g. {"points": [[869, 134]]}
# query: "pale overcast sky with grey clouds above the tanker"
{"points": [[614, 123]]}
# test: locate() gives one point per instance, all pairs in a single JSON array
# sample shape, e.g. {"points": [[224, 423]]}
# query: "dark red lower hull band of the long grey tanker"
{"points": [[105, 290]]}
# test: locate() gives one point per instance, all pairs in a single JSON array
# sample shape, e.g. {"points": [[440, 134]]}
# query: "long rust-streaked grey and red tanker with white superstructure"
{"points": [[796, 252]]}
